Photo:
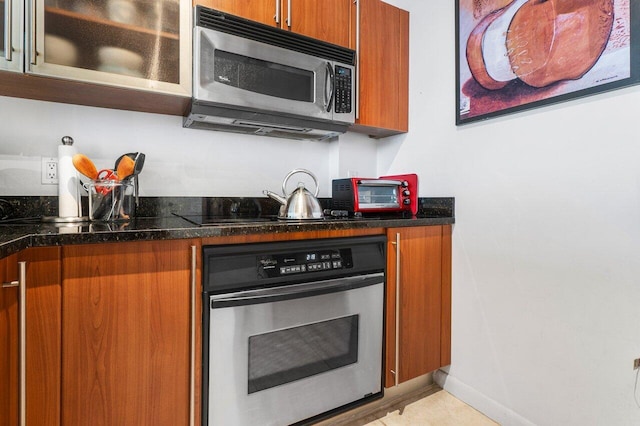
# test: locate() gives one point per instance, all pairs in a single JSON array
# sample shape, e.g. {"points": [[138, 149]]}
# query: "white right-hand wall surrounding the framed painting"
{"points": [[546, 277]]}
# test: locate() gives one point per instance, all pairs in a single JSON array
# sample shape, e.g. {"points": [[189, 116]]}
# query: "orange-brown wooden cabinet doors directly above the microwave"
{"points": [[327, 20]]}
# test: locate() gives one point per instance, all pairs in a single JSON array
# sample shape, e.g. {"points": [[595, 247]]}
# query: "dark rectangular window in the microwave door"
{"points": [[267, 78]]}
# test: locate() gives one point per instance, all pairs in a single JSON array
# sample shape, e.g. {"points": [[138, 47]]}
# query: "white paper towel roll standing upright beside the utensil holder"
{"points": [[68, 185]]}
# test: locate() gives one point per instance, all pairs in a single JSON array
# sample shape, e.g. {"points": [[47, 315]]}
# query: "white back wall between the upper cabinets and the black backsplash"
{"points": [[179, 162]]}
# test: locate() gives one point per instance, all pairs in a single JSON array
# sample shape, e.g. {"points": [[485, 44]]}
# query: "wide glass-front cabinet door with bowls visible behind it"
{"points": [[140, 44]]}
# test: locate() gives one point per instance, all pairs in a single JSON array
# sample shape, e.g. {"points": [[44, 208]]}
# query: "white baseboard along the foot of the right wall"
{"points": [[487, 406]]}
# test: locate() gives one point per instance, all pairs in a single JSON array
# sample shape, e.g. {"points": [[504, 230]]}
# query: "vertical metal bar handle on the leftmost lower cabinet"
{"points": [[22, 339]]}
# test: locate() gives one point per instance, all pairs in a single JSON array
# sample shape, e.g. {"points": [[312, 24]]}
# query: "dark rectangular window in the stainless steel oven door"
{"points": [[291, 354]]}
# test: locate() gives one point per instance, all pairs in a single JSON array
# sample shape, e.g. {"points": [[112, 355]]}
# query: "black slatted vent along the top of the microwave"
{"points": [[231, 24]]}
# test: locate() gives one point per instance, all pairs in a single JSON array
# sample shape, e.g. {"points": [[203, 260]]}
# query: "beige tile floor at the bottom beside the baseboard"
{"points": [[437, 409]]}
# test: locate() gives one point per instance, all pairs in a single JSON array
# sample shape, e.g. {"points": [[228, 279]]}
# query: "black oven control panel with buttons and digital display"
{"points": [[278, 265]]}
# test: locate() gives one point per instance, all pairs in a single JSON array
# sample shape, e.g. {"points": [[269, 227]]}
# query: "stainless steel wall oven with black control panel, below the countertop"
{"points": [[292, 330]]}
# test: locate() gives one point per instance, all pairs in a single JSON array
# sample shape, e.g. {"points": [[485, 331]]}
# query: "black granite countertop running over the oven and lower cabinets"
{"points": [[37, 235]]}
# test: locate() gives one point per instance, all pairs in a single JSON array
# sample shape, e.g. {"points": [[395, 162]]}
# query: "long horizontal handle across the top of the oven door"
{"points": [[295, 291]]}
